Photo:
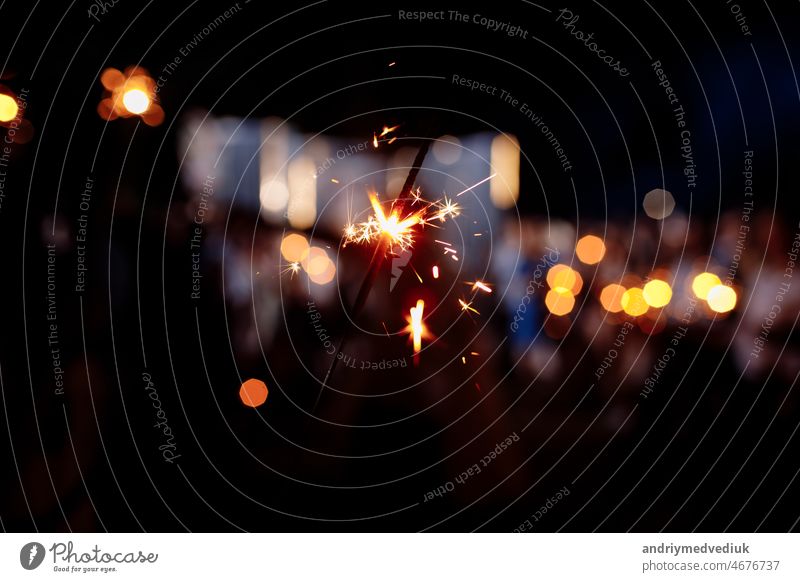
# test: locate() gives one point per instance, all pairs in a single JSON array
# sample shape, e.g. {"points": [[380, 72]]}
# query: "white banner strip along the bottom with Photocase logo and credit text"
{"points": [[401, 557]]}
